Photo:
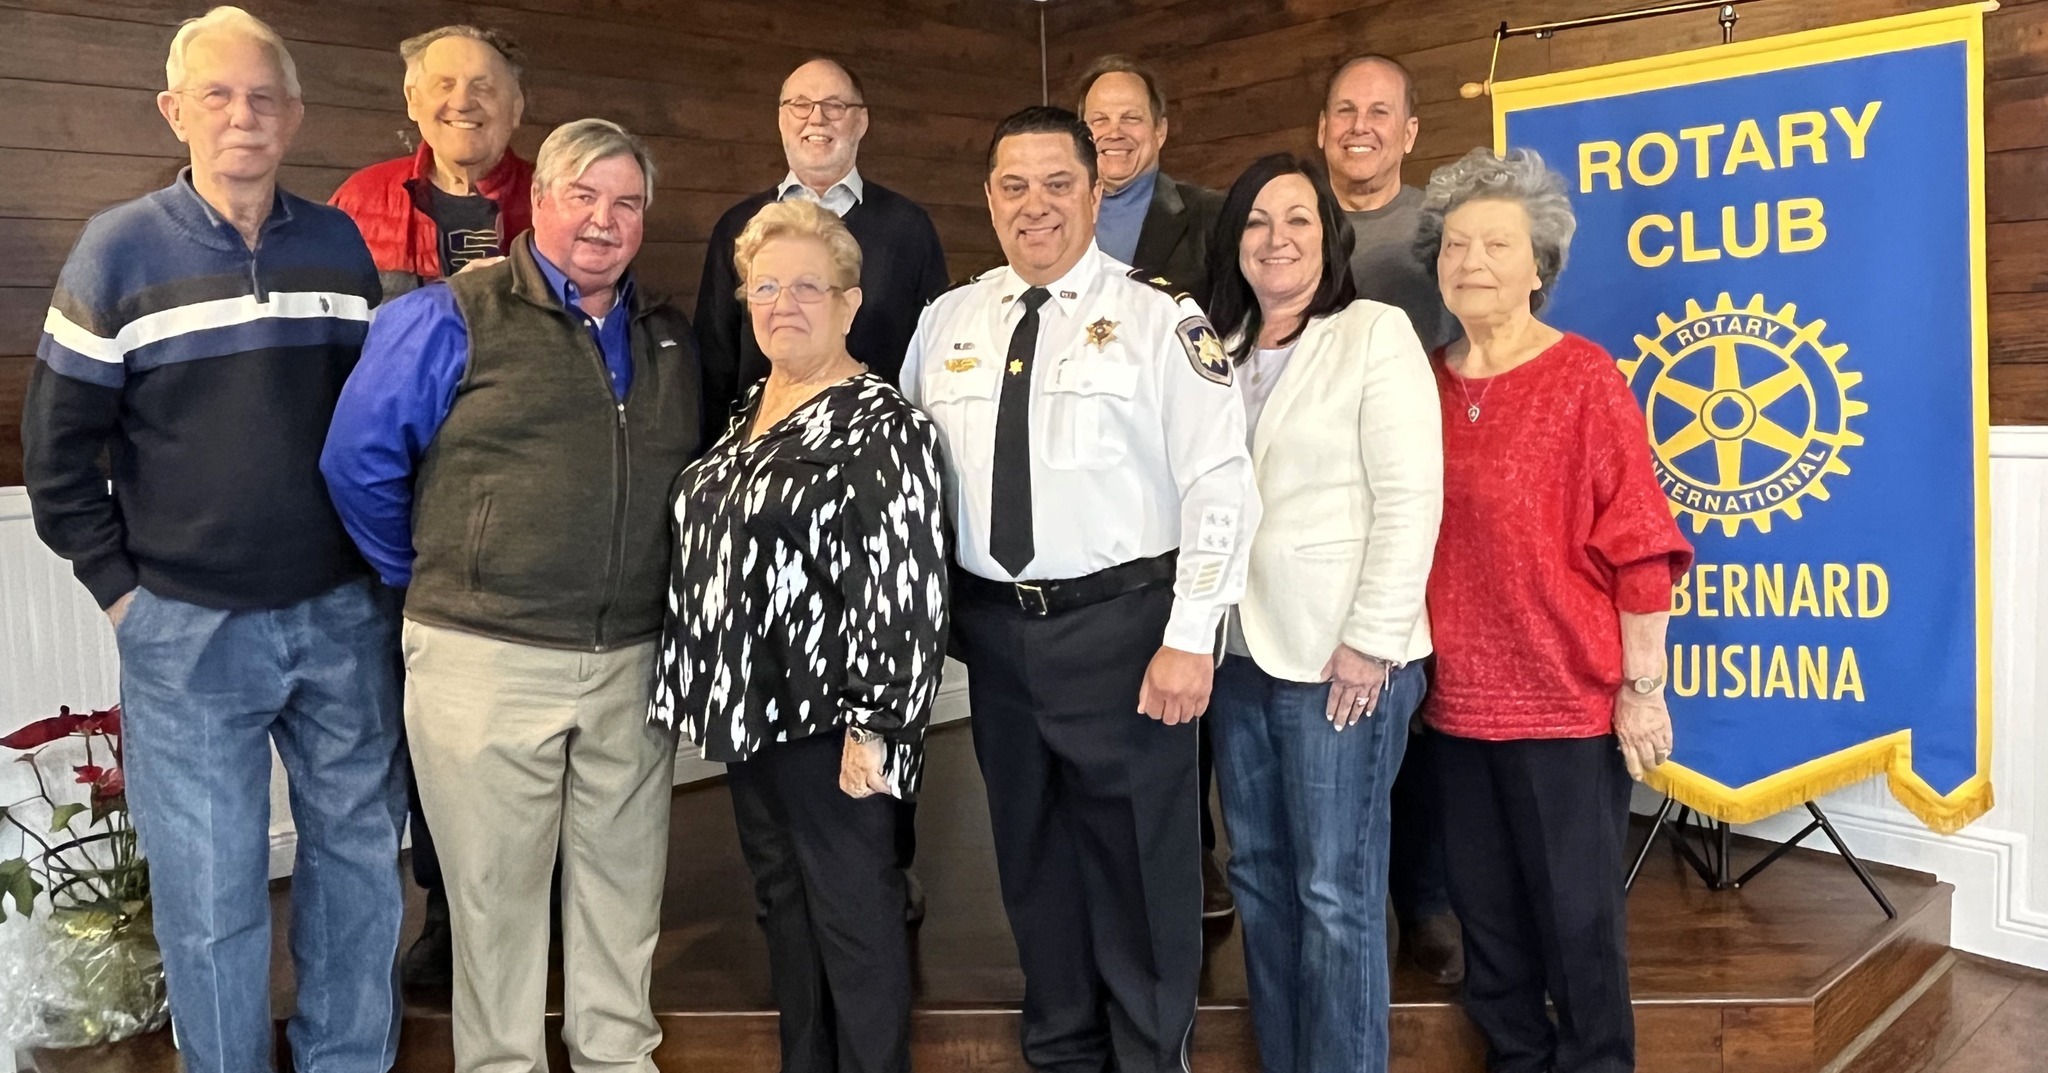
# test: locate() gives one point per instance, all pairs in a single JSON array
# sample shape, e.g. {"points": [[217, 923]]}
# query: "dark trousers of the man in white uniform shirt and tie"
{"points": [[1097, 836]]}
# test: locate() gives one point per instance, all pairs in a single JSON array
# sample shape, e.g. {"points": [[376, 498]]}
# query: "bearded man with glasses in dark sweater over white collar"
{"points": [[824, 116]]}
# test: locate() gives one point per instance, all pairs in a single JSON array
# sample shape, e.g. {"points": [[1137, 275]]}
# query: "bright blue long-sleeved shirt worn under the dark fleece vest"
{"points": [[402, 392]]}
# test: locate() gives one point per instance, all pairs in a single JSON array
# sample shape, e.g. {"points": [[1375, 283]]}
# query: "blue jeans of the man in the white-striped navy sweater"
{"points": [[206, 693]]}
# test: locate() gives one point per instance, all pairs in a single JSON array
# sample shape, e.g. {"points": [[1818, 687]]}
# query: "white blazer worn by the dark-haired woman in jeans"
{"points": [[1351, 466]]}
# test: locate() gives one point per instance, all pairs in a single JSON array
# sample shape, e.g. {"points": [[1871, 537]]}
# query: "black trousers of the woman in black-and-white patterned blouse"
{"points": [[826, 871]]}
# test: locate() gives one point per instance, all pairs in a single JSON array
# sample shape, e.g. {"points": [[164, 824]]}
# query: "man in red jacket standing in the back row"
{"points": [[466, 194]]}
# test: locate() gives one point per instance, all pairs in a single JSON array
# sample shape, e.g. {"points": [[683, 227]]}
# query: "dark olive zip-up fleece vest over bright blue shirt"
{"points": [[542, 509]]}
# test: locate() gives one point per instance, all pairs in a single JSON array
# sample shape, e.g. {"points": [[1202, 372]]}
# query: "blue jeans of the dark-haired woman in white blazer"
{"points": [[1308, 810]]}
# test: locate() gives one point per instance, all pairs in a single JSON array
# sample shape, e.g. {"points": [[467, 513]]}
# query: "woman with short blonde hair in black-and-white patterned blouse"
{"points": [[806, 638]]}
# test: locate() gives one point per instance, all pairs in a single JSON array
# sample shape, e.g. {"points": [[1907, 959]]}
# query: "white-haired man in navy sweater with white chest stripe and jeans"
{"points": [[200, 339]]}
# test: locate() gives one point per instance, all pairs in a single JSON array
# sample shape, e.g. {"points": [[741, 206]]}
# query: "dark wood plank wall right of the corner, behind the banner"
{"points": [[1246, 79]]}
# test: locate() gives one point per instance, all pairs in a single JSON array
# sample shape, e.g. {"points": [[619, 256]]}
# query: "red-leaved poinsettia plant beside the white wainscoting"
{"points": [[81, 853]]}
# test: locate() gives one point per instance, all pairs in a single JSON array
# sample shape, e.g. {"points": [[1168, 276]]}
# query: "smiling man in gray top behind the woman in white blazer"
{"points": [[1367, 130]]}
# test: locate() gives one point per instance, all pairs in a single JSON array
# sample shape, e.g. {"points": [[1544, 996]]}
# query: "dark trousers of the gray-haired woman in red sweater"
{"points": [[1537, 849]]}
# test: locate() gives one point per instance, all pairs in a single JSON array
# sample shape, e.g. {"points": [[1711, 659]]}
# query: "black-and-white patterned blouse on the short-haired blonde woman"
{"points": [[810, 581]]}
